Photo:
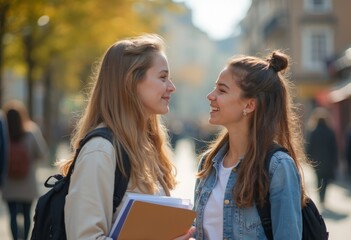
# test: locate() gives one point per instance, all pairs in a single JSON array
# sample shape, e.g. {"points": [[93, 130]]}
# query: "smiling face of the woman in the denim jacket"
{"points": [[227, 105]]}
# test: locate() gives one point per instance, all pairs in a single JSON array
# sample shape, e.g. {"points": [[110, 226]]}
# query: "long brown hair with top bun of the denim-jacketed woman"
{"points": [[275, 120]]}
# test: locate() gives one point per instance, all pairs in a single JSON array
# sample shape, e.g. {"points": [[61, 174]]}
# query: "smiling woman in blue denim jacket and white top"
{"points": [[252, 101]]}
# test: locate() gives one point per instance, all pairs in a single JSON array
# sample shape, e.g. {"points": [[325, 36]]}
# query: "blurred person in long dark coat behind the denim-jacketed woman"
{"points": [[322, 150]]}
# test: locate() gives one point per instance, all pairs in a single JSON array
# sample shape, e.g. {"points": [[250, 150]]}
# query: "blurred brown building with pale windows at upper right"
{"points": [[313, 33]]}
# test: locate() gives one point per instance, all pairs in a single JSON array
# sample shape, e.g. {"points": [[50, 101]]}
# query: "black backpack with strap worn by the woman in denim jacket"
{"points": [[313, 224]]}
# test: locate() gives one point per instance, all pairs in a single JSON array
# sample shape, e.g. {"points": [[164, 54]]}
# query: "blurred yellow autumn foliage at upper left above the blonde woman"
{"points": [[73, 34]]}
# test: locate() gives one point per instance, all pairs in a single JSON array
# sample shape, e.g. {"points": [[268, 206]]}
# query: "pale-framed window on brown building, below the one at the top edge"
{"points": [[317, 47]]}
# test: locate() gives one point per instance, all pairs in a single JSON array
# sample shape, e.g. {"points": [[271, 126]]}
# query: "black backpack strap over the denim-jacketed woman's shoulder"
{"points": [[265, 211]]}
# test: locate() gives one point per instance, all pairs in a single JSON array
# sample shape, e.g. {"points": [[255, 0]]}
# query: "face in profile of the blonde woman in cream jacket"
{"points": [[156, 88]]}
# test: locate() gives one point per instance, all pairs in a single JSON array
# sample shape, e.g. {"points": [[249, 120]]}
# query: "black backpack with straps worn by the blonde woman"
{"points": [[49, 211]]}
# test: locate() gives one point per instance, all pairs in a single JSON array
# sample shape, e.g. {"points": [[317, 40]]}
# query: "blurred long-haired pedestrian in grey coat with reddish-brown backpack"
{"points": [[20, 191]]}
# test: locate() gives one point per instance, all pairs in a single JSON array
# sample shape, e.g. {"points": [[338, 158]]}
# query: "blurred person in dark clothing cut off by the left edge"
{"points": [[4, 142]]}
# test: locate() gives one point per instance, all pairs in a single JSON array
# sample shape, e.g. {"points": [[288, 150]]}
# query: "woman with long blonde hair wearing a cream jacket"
{"points": [[131, 89]]}
